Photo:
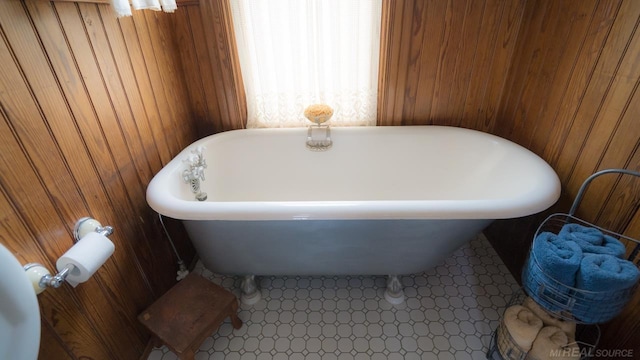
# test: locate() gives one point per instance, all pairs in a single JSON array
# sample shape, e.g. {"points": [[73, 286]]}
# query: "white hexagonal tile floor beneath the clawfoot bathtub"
{"points": [[450, 313]]}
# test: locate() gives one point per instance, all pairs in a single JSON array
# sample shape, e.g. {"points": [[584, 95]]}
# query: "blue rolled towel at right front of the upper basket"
{"points": [[608, 273]]}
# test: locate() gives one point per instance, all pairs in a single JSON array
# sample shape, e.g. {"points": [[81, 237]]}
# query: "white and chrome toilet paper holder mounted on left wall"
{"points": [[41, 278]]}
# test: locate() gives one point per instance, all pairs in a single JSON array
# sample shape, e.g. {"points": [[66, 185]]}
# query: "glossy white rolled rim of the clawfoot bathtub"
{"points": [[166, 204]]}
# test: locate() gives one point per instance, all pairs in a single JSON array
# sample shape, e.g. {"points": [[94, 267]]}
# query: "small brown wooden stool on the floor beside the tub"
{"points": [[188, 313]]}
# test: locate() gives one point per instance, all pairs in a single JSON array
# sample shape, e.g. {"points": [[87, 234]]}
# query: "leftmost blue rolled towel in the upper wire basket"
{"points": [[558, 258]]}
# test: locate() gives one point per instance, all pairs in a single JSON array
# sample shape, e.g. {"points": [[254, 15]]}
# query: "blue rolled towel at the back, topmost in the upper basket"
{"points": [[592, 240]]}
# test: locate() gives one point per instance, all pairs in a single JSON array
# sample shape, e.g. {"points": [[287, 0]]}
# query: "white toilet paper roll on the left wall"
{"points": [[86, 256]]}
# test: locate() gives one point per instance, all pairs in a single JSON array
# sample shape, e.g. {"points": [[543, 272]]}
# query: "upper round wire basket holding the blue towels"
{"points": [[565, 300]]}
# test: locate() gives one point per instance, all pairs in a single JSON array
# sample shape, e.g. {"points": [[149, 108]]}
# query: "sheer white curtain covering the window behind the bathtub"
{"points": [[294, 53]]}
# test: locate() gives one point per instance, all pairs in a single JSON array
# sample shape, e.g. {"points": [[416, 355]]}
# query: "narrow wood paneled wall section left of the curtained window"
{"points": [[211, 66]]}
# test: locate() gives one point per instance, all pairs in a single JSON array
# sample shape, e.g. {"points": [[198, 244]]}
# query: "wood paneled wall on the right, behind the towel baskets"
{"points": [[572, 98]]}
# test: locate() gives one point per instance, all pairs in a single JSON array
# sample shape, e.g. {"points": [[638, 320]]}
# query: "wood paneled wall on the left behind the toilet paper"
{"points": [[91, 107]]}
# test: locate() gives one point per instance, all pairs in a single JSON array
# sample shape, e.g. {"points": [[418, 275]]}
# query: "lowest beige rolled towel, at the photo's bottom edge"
{"points": [[553, 343]]}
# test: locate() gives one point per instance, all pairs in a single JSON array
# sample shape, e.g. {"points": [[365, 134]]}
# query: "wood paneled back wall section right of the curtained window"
{"points": [[445, 62]]}
